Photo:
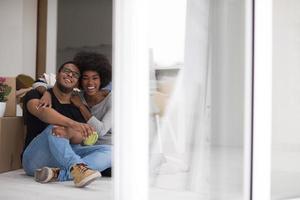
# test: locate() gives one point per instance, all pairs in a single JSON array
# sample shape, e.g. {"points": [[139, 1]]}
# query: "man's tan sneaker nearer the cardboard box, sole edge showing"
{"points": [[46, 174]]}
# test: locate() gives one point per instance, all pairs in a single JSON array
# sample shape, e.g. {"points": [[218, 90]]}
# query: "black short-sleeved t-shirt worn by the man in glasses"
{"points": [[35, 126]]}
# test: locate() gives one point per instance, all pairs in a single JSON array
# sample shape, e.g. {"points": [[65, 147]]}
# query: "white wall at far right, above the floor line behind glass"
{"points": [[286, 73]]}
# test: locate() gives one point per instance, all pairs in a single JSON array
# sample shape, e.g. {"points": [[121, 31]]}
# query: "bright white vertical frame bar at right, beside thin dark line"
{"points": [[262, 101]]}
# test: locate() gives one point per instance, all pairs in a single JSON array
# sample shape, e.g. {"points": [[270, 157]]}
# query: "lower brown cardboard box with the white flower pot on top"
{"points": [[12, 136]]}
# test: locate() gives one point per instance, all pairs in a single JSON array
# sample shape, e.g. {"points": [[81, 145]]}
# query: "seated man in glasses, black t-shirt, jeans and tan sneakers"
{"points": [[53, 147]]}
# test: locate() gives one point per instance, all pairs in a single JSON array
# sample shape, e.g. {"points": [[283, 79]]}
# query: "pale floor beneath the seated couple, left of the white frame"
{"points": [[16, 185]]}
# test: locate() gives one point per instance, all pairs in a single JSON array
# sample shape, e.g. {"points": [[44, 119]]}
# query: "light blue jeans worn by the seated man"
{"points": [[51, 151]]}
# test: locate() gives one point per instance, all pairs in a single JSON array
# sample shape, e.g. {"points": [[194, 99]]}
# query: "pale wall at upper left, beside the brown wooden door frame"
{"points": [[18, 37]]}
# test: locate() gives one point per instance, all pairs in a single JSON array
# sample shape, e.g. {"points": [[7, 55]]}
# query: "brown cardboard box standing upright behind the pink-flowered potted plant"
{"points": [[11, 106]]}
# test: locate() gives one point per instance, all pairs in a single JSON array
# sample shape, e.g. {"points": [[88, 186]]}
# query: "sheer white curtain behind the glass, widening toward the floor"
{"points": [[185, 128]]}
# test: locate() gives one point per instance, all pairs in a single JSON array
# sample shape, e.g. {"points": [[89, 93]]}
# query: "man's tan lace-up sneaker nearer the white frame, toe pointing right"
{"points": [[83, 175]]}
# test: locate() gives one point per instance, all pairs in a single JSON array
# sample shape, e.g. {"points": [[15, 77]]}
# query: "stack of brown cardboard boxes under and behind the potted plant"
{"points": [[12, 133]]}
